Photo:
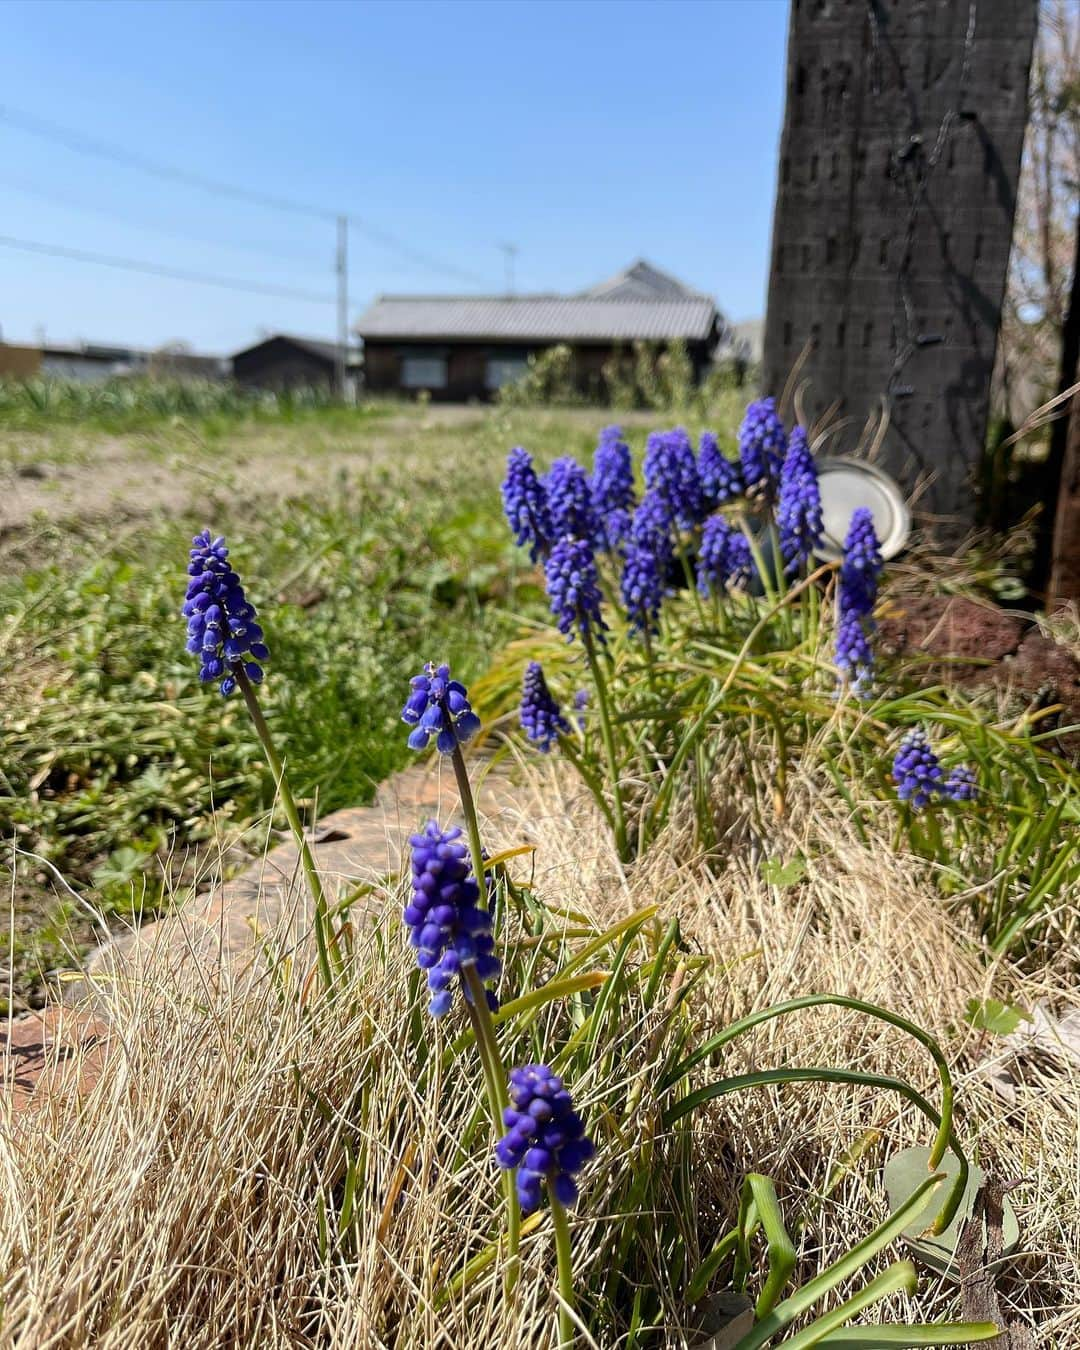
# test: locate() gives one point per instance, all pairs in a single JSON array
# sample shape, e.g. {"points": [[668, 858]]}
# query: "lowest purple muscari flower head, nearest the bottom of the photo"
{"points": [[546, 1137]]}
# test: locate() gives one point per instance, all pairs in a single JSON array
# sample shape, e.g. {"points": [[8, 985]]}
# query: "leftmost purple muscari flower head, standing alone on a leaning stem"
{"points": [[222, 628]]}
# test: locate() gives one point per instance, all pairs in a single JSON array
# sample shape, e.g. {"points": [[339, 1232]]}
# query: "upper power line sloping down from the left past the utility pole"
{"points": [[82, 144]]}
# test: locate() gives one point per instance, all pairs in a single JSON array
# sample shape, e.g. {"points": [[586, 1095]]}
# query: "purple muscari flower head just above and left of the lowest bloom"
{"points": [[445, 919]]}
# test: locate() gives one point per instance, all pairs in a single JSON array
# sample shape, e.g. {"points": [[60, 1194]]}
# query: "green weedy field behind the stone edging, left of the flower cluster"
{"points": [[376, 533]]}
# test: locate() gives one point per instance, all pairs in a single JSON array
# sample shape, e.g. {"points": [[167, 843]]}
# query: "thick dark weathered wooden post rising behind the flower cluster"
{"points": [[894, 217]]}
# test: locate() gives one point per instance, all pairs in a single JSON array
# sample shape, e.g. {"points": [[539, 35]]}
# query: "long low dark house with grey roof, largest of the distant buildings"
{"points": [[462, 348]]}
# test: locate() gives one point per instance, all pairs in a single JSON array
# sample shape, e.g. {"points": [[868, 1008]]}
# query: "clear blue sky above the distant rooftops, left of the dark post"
{"points": [[585, 133]]}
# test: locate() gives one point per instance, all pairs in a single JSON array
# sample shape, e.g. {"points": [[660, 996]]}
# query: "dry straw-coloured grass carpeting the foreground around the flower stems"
{"points": [[182, 1204]]}
